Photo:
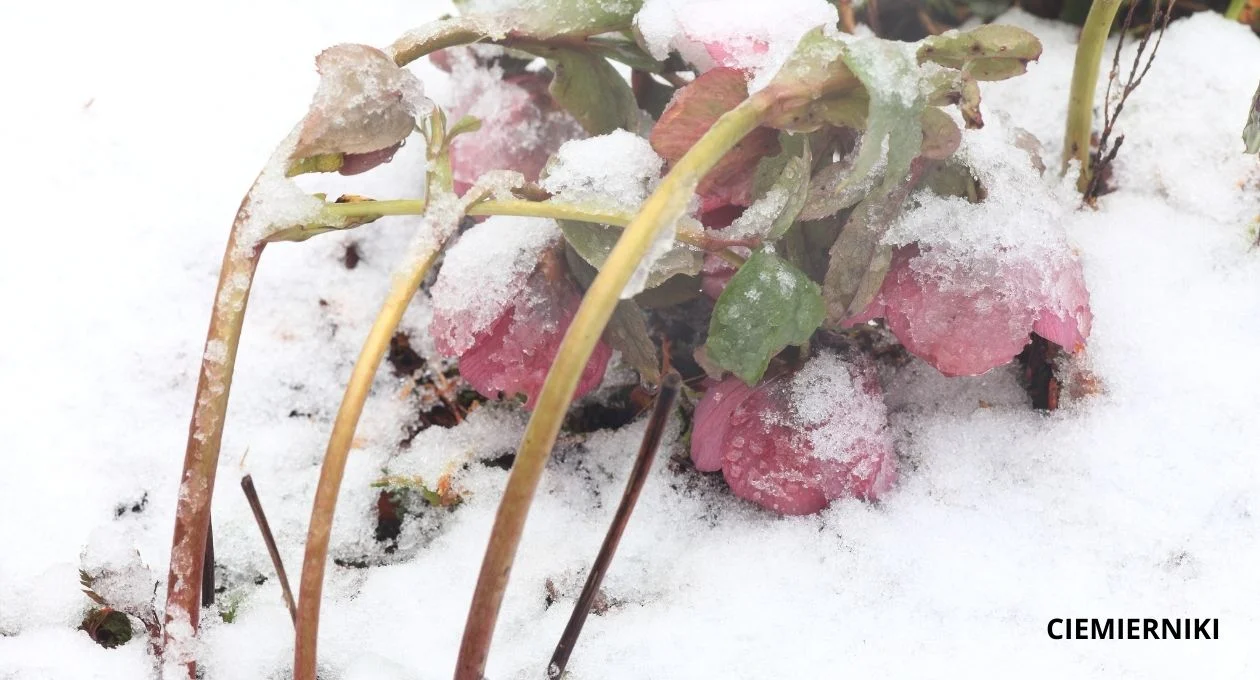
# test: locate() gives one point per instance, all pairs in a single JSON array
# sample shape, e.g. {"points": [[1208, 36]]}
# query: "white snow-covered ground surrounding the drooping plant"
{"points": [[130, 132]]}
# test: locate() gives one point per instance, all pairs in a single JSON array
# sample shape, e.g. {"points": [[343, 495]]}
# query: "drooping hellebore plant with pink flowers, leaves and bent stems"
{"points": [[762, 163]]}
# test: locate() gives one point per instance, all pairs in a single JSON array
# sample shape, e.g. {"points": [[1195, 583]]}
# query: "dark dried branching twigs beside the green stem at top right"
{"points": [[1107, 153]]}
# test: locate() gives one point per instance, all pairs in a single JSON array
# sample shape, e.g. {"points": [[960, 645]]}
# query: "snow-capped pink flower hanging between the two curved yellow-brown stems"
{"points": [[502, 304]]}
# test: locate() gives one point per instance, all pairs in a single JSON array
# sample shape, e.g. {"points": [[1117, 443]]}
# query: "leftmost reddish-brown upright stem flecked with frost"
{"points": [[205, 436]]}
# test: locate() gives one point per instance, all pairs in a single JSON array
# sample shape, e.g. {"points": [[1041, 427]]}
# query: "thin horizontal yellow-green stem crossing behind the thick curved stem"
{"points": [[525, 208]]}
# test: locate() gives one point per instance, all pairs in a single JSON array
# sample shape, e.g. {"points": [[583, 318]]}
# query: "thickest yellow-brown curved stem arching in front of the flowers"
{"points": [[667, 203]]}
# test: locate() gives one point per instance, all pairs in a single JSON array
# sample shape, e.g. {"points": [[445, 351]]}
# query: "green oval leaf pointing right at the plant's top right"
{"points": [[994, 52]]}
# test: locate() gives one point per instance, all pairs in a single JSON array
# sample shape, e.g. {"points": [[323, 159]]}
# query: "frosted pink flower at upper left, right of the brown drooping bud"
{"points": [[521, 124]]}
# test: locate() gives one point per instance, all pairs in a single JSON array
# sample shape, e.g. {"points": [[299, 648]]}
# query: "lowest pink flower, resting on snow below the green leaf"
{"points": [[796, 443]]}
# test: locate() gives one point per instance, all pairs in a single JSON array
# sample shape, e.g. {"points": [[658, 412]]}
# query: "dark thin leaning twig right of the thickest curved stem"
{"points": [[665, 406]]}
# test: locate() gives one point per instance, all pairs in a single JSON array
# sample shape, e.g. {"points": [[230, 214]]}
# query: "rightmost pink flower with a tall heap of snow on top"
{"points": [[970, 281]]}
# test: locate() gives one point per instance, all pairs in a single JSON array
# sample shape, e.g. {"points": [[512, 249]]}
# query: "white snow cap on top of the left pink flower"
{"points": [[483, 275]]}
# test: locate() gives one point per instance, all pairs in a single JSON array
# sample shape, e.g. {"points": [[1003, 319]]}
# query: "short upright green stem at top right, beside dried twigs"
{"points": [[1085, 77]]}
